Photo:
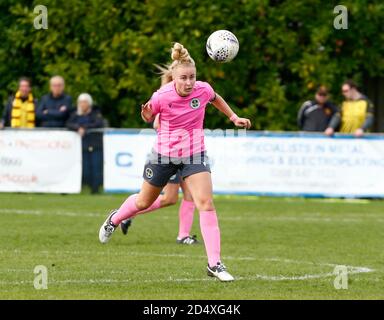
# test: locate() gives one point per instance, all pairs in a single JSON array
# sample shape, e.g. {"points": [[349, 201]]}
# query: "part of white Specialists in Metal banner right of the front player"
{"points": [[302, 166]]}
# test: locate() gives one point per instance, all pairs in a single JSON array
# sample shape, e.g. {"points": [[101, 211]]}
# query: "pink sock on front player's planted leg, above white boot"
{"points": [[209, 226]]}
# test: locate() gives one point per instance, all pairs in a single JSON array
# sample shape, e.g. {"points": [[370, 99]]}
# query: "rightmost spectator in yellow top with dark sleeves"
{"points": [[356, 110]]}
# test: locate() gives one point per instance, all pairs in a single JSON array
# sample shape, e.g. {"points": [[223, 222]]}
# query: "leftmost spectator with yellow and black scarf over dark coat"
{"points": [[19, 112]]}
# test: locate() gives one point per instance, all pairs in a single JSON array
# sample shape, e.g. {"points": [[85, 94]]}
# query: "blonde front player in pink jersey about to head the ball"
{"points": [[180, 146]]}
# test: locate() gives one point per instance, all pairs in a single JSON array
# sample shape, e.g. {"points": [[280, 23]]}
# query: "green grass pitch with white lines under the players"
{"points": [[276, 248]]}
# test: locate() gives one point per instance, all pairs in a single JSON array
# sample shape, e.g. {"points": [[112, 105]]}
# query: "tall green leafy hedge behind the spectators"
{"points": [[108, 48]]}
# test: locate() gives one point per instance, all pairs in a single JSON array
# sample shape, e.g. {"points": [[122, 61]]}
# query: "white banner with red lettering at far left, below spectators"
{"points": [[40, 161]]}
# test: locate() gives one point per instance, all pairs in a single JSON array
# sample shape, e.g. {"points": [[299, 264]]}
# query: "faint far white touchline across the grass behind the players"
{"points": [[310, 218]]}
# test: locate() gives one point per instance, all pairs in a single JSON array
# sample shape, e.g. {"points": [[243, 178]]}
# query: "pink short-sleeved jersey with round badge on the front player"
{"points": [[180, 133]]}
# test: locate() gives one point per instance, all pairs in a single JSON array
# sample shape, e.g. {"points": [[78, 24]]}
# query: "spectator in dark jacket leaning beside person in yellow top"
{"points": [[320, 114]]}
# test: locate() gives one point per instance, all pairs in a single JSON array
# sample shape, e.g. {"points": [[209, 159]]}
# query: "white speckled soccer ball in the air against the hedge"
{"points": [[222, 46]]}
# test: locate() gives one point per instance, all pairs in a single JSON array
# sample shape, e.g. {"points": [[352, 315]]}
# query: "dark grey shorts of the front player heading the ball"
{"points": [[159, 170]]}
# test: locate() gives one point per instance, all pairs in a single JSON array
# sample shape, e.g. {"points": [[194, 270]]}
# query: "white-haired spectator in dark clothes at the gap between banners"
{"points": [[86, 117]]}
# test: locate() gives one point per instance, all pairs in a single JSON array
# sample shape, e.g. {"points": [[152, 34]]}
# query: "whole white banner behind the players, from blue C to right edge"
{"points": [[265, 164]]}
